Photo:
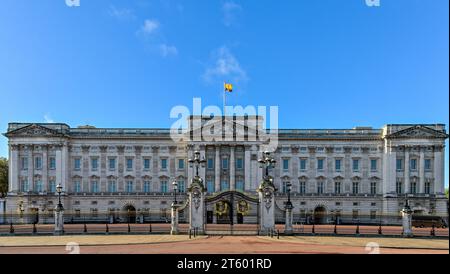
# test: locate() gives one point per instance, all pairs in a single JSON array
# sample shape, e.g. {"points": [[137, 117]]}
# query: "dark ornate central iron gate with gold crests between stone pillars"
{"points": [[231, 213]]}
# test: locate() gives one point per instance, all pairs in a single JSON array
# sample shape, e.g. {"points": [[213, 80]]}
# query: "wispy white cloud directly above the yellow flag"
{"points": [[224, 67]]}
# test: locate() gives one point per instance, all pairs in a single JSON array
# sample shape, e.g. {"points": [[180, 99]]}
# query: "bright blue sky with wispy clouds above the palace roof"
{"points": [[324, 63]]}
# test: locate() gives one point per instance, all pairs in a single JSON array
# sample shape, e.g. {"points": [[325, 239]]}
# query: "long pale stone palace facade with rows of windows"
{"points": [[360, 174]]}
